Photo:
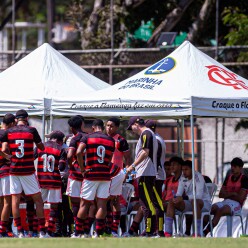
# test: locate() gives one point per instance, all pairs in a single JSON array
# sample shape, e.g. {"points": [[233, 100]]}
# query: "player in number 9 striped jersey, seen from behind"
{"points": [[99, 151]]}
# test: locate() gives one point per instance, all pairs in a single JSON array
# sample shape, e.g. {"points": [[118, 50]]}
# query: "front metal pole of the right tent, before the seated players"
{"points": [[193, 171]]}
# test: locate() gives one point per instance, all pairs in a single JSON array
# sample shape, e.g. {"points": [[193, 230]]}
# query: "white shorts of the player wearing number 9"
{"points": [[92, 189]]}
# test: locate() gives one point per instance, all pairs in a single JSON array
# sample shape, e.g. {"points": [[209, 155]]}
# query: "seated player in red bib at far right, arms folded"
{"points": [[234, 191]]}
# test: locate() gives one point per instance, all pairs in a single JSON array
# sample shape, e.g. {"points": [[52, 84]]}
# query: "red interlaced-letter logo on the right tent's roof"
{"points": [[221, 76]]}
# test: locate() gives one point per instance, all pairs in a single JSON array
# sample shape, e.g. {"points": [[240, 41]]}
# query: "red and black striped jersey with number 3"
{"points": [[21, 139]]}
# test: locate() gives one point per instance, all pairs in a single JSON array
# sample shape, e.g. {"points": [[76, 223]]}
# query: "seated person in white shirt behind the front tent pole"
{"points": [[184, 199]]}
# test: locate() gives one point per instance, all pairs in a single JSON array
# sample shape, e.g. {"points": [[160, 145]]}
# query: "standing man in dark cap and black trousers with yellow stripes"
{"points": [[145, 164]]}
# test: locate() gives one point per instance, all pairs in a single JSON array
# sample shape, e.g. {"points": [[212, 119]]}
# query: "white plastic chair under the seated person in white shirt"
{"points": [[212, 187]]}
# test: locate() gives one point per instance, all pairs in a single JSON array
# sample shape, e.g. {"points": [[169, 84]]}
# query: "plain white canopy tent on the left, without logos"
{"points": [[42, 75]]}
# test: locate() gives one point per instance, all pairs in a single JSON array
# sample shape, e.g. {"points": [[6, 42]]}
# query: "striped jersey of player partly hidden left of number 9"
{"points": [[75, 171]]}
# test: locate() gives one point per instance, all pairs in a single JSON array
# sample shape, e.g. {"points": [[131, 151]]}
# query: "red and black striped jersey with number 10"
{"points": [[49, 161]]}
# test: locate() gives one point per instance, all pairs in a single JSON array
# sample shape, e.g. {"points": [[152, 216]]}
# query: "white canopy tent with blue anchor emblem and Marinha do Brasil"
{"points": [[187, 83]]}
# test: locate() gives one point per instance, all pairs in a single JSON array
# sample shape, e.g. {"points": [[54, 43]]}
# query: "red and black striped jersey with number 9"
{"points": [[99, 151]]}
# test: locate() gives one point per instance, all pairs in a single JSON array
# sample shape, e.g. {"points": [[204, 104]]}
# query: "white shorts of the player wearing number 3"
{"points": [[29, 184]]}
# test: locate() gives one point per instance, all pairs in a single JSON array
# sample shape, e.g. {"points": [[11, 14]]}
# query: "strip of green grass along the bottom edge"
{"points": [[126, 243]]}
